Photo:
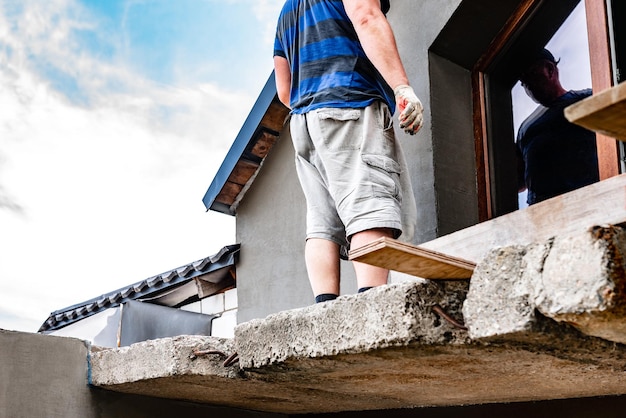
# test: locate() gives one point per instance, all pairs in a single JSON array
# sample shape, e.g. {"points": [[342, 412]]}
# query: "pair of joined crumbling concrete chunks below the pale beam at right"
{"points": [[578, 279]]}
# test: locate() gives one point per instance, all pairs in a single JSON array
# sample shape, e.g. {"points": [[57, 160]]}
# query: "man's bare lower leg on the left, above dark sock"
{"points": [[322, 264]]}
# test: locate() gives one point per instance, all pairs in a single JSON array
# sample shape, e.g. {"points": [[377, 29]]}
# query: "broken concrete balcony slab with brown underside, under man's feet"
{"points": [[384, 349]]}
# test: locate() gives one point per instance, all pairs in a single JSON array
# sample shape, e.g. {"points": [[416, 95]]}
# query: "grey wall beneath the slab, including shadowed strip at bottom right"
{"points": [[43, 376]]}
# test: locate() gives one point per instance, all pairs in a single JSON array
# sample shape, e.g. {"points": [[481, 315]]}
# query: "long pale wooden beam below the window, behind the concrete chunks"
{"points": [[600, 203]]}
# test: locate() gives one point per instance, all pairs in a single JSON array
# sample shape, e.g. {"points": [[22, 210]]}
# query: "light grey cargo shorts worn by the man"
{"points": [[347, 164]]}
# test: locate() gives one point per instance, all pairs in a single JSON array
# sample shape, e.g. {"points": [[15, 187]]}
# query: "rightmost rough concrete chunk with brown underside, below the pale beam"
{"points": [[598, 295]]}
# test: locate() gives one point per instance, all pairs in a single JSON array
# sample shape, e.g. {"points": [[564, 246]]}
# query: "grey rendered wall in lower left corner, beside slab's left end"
{"points": [[43, 376]]}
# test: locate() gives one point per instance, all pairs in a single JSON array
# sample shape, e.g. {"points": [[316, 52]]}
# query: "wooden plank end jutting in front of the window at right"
{"points": [[604, 112]]}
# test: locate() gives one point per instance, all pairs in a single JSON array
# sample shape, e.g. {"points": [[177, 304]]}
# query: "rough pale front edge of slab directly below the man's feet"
{"points": [[386, 316]]}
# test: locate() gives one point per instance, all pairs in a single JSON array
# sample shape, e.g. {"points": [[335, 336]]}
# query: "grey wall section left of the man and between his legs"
{"points": [[271, 272]]}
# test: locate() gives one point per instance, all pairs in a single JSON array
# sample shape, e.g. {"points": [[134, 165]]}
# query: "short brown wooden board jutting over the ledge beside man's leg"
{"points": [[410, 259]]}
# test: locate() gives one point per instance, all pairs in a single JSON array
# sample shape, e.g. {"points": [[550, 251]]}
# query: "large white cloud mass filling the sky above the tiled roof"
{"points": [[110, 188]]}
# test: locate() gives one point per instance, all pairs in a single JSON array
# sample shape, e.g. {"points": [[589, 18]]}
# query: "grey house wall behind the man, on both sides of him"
{"points": [[271, 273]]}
